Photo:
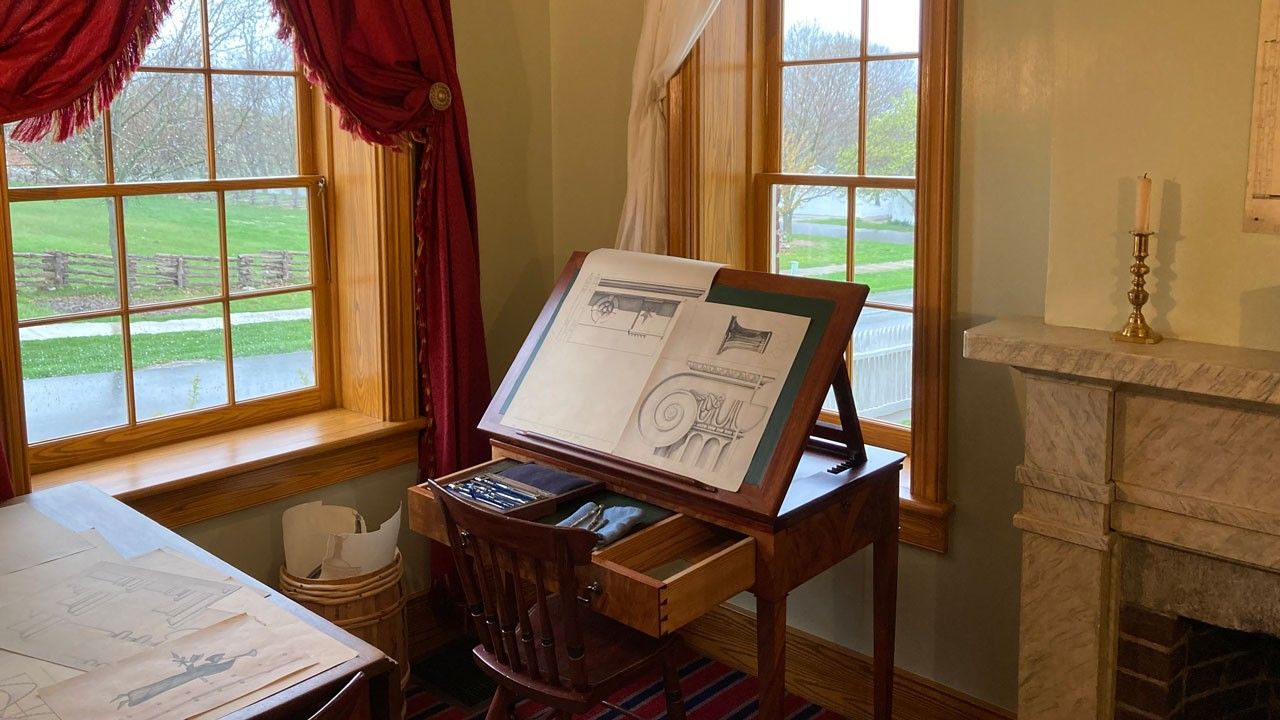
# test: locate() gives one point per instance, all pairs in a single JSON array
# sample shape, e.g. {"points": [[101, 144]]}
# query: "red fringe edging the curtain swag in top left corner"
{"points": [[81, 113]]}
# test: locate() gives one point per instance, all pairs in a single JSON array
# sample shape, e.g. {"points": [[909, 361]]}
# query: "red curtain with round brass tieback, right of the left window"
{"points": [[390, 67]]}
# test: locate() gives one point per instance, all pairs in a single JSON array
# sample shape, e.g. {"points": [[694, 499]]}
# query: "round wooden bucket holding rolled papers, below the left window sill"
{"points": [[369, 607]]}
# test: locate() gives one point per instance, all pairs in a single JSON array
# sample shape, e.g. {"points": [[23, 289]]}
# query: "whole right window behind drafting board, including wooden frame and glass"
{"points": [[830, 130]]}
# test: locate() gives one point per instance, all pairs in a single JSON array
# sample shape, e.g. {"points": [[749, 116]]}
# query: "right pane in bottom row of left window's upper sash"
{"points": [[255, 126]]}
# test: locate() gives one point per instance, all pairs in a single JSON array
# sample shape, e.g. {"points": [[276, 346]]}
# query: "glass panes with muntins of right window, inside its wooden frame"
{"points": [[844, 203]]}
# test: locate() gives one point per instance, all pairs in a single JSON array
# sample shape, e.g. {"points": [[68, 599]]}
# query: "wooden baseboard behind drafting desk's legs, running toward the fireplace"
{"points": [[830, 676]]}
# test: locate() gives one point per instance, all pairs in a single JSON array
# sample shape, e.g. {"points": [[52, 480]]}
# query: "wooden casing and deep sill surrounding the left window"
{"points": [[199, 467]]}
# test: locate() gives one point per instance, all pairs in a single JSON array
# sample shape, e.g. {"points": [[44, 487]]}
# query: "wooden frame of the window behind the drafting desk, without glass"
{"points": [[698, 181]]}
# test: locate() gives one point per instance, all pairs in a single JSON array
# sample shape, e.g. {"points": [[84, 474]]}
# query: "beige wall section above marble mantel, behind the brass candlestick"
{"points": [[1165, 88]]}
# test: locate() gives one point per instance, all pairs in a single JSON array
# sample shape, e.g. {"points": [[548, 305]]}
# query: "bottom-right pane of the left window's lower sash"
{"points": [[272, 345]]}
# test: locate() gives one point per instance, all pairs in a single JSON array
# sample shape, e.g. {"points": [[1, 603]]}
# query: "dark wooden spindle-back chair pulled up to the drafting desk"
{"points": [[551, 649]]}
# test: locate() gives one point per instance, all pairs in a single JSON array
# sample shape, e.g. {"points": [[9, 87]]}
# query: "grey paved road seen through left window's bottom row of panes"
{"points": [[76, 404]]}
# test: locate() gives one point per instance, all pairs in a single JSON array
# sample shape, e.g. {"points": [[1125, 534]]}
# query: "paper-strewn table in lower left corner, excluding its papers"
{"points": [[80, 508]]}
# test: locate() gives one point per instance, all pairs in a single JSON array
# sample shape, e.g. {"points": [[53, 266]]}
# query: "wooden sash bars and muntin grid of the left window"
{"points": [[139, 435]]}
